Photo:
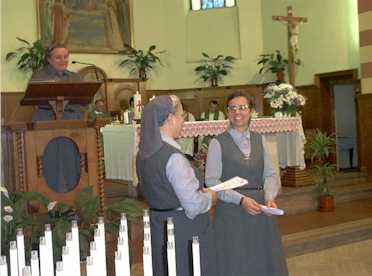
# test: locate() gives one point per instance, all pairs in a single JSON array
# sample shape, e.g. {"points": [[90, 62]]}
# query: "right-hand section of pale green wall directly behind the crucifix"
{"points": [[328, 41]]}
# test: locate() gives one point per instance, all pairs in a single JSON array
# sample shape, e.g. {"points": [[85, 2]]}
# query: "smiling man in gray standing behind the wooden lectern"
{"points": [[56, 70]]}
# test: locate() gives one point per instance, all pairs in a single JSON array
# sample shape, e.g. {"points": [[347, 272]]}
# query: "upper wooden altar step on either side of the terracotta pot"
{"points": [[344, 186]]}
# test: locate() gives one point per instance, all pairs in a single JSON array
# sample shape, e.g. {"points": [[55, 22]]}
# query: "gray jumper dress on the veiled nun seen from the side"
{"points": [[163, 203]]}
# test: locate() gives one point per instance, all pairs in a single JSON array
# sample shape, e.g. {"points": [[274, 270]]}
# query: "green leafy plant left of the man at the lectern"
{"points": [[31, 55]]}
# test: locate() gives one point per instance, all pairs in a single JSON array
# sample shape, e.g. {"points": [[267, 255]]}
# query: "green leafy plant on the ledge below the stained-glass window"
{"points": [[213, 69]]}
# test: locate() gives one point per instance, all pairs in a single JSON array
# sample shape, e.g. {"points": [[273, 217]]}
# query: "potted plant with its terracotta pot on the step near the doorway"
{"points": [[321, 147]]}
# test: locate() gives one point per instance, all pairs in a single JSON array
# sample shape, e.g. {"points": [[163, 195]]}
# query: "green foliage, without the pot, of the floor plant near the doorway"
{"points": [[321, 147]]}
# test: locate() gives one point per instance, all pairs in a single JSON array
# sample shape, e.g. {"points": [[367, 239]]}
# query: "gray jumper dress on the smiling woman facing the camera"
{"points": [[246, 244]]}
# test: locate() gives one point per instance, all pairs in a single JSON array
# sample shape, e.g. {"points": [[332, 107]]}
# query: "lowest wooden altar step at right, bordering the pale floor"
{"points": [[315, 231]]}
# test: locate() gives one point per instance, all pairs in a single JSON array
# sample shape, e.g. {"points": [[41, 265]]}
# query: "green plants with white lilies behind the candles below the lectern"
{"points": [[31, 211]]}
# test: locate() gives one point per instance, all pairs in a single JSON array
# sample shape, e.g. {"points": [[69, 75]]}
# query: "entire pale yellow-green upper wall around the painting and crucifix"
{"points": [[328, 41]]}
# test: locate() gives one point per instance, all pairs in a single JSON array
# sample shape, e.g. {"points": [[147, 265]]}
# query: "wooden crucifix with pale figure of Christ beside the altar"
{"points": [[293, 23]]}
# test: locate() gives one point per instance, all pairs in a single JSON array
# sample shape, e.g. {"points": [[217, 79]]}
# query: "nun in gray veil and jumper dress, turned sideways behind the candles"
{"points": [[171, 188]]}
